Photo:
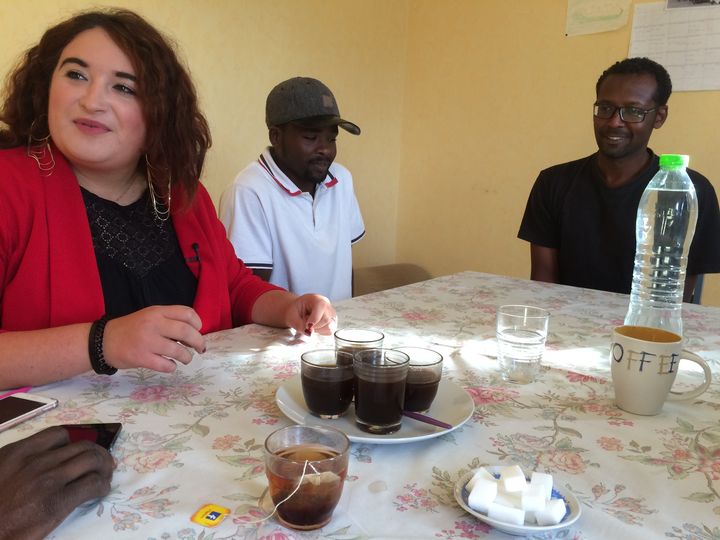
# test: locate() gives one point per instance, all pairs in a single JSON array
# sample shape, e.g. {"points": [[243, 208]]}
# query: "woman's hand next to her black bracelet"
{"points": [[155, 338]]}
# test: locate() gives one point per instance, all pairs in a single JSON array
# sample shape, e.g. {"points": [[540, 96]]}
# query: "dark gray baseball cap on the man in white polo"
{"points": [[304, 101]]}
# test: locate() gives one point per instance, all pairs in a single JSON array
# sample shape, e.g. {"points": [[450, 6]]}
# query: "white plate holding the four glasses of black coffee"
{"points": [[452, 405]]}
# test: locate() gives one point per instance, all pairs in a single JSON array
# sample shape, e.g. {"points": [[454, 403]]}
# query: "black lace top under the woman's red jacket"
{"points": [[138, 256]]}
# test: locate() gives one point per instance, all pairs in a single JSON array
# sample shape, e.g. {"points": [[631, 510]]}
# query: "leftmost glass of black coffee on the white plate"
{"points": [[327, 379]]}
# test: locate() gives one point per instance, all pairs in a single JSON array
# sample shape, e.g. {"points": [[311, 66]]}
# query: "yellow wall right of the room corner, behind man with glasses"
{"points": [[495, 92]]}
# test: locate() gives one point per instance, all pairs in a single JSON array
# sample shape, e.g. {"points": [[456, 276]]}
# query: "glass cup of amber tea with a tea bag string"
{"points": [[306, 468]]}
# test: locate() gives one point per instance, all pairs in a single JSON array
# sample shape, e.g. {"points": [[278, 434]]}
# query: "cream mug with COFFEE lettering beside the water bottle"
{"points": [[645, 362]]}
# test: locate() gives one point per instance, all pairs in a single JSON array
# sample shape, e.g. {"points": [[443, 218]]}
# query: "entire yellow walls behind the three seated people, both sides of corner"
{"points": [[461, 103]]}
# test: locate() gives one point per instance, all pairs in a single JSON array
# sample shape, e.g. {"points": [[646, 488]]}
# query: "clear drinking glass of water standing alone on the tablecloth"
{"points": [[521, 333]]}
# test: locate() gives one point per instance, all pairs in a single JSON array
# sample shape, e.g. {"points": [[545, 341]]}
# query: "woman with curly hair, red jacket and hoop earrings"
{"points": [[111, 253]]}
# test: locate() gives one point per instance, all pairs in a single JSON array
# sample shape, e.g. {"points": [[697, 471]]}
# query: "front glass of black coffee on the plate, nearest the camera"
{"points": [[380, 376]]}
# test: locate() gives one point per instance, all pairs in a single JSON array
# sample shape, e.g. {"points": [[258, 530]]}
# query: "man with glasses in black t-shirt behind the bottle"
{"points": [[580, 216]]}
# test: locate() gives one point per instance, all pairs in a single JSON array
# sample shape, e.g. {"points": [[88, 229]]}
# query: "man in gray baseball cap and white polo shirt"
{"points": [[292, 215]]}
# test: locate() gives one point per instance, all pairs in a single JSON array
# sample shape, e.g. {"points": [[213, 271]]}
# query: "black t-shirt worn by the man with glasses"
{"points": [[593, 227]]}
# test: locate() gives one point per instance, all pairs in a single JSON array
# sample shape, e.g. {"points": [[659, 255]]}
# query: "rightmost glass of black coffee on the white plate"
{"points": [[424, 374]]}
